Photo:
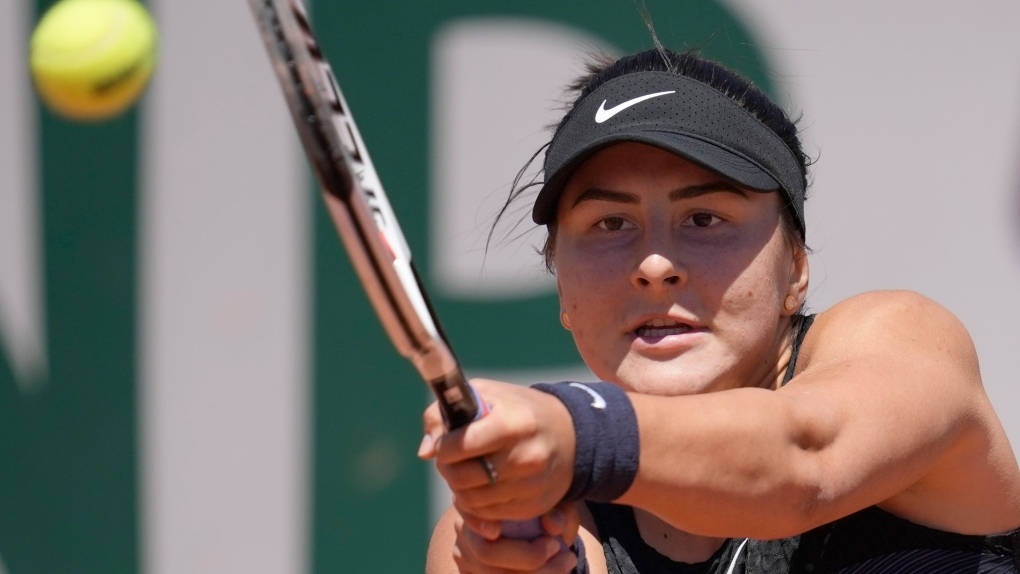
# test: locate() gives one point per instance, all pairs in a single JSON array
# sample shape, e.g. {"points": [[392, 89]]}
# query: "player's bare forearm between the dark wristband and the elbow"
{"points": [[727, 464]]}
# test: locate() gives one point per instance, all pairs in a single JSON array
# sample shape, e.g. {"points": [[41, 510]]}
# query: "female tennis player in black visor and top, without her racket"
{"points": [[733, 434]]}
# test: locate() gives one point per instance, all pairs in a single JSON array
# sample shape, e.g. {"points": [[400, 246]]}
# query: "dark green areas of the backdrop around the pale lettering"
{"points": [[70, 484]]}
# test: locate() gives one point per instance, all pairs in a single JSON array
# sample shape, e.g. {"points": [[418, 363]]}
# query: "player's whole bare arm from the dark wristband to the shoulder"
{"points": [[887, 408]]}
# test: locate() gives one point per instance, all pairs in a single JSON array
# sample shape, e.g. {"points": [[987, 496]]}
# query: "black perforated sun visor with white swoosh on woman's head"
{"points": [[681, 116]]}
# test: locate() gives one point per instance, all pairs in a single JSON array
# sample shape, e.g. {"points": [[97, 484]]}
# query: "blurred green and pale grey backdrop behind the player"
{"points": [[191, 381]]}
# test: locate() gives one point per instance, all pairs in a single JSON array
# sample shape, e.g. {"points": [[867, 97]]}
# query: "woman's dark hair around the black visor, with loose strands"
{"points": [[733, 85]]}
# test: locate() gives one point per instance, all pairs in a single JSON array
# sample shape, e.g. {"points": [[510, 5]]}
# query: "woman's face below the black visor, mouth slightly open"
{"points": [[673, 278]]}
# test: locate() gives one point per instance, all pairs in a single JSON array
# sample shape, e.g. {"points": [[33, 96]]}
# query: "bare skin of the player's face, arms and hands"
{"points": [[726, 452]]}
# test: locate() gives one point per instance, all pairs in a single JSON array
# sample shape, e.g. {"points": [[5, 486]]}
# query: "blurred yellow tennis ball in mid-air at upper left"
{"points": [[91, 60]]}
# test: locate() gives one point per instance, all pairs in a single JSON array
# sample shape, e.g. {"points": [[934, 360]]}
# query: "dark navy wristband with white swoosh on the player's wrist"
{"points": [[606, 445]]}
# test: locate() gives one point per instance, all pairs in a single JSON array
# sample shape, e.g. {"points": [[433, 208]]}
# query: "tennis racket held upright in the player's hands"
{"points": [[363, 216]]}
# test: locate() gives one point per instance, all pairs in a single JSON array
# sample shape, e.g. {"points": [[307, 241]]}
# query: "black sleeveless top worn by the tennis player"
{"points": [[869, 542]]}
